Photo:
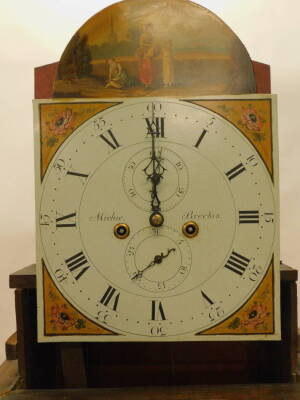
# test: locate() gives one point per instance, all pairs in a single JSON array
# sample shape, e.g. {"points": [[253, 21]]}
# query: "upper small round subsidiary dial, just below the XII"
{"points": [[171, 172]]}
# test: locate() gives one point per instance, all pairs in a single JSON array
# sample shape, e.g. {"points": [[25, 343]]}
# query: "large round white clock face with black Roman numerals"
{"points": [[178, 161]]}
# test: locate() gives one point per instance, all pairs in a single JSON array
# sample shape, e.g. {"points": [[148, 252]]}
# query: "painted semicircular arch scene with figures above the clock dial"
{"points": [[158, 48]]}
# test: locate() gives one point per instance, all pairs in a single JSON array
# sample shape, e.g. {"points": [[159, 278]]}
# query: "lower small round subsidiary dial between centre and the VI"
{"points": [[158, 260]]}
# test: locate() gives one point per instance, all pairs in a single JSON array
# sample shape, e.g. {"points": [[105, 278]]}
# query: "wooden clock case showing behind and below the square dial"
{"points": [[57, 365]]}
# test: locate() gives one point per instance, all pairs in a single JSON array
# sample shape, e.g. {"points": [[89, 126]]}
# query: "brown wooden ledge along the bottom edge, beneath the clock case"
{"points": [[228, 392]]}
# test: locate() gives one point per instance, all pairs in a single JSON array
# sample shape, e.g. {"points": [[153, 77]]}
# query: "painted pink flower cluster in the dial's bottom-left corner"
{"points": [[63, 319]]}
